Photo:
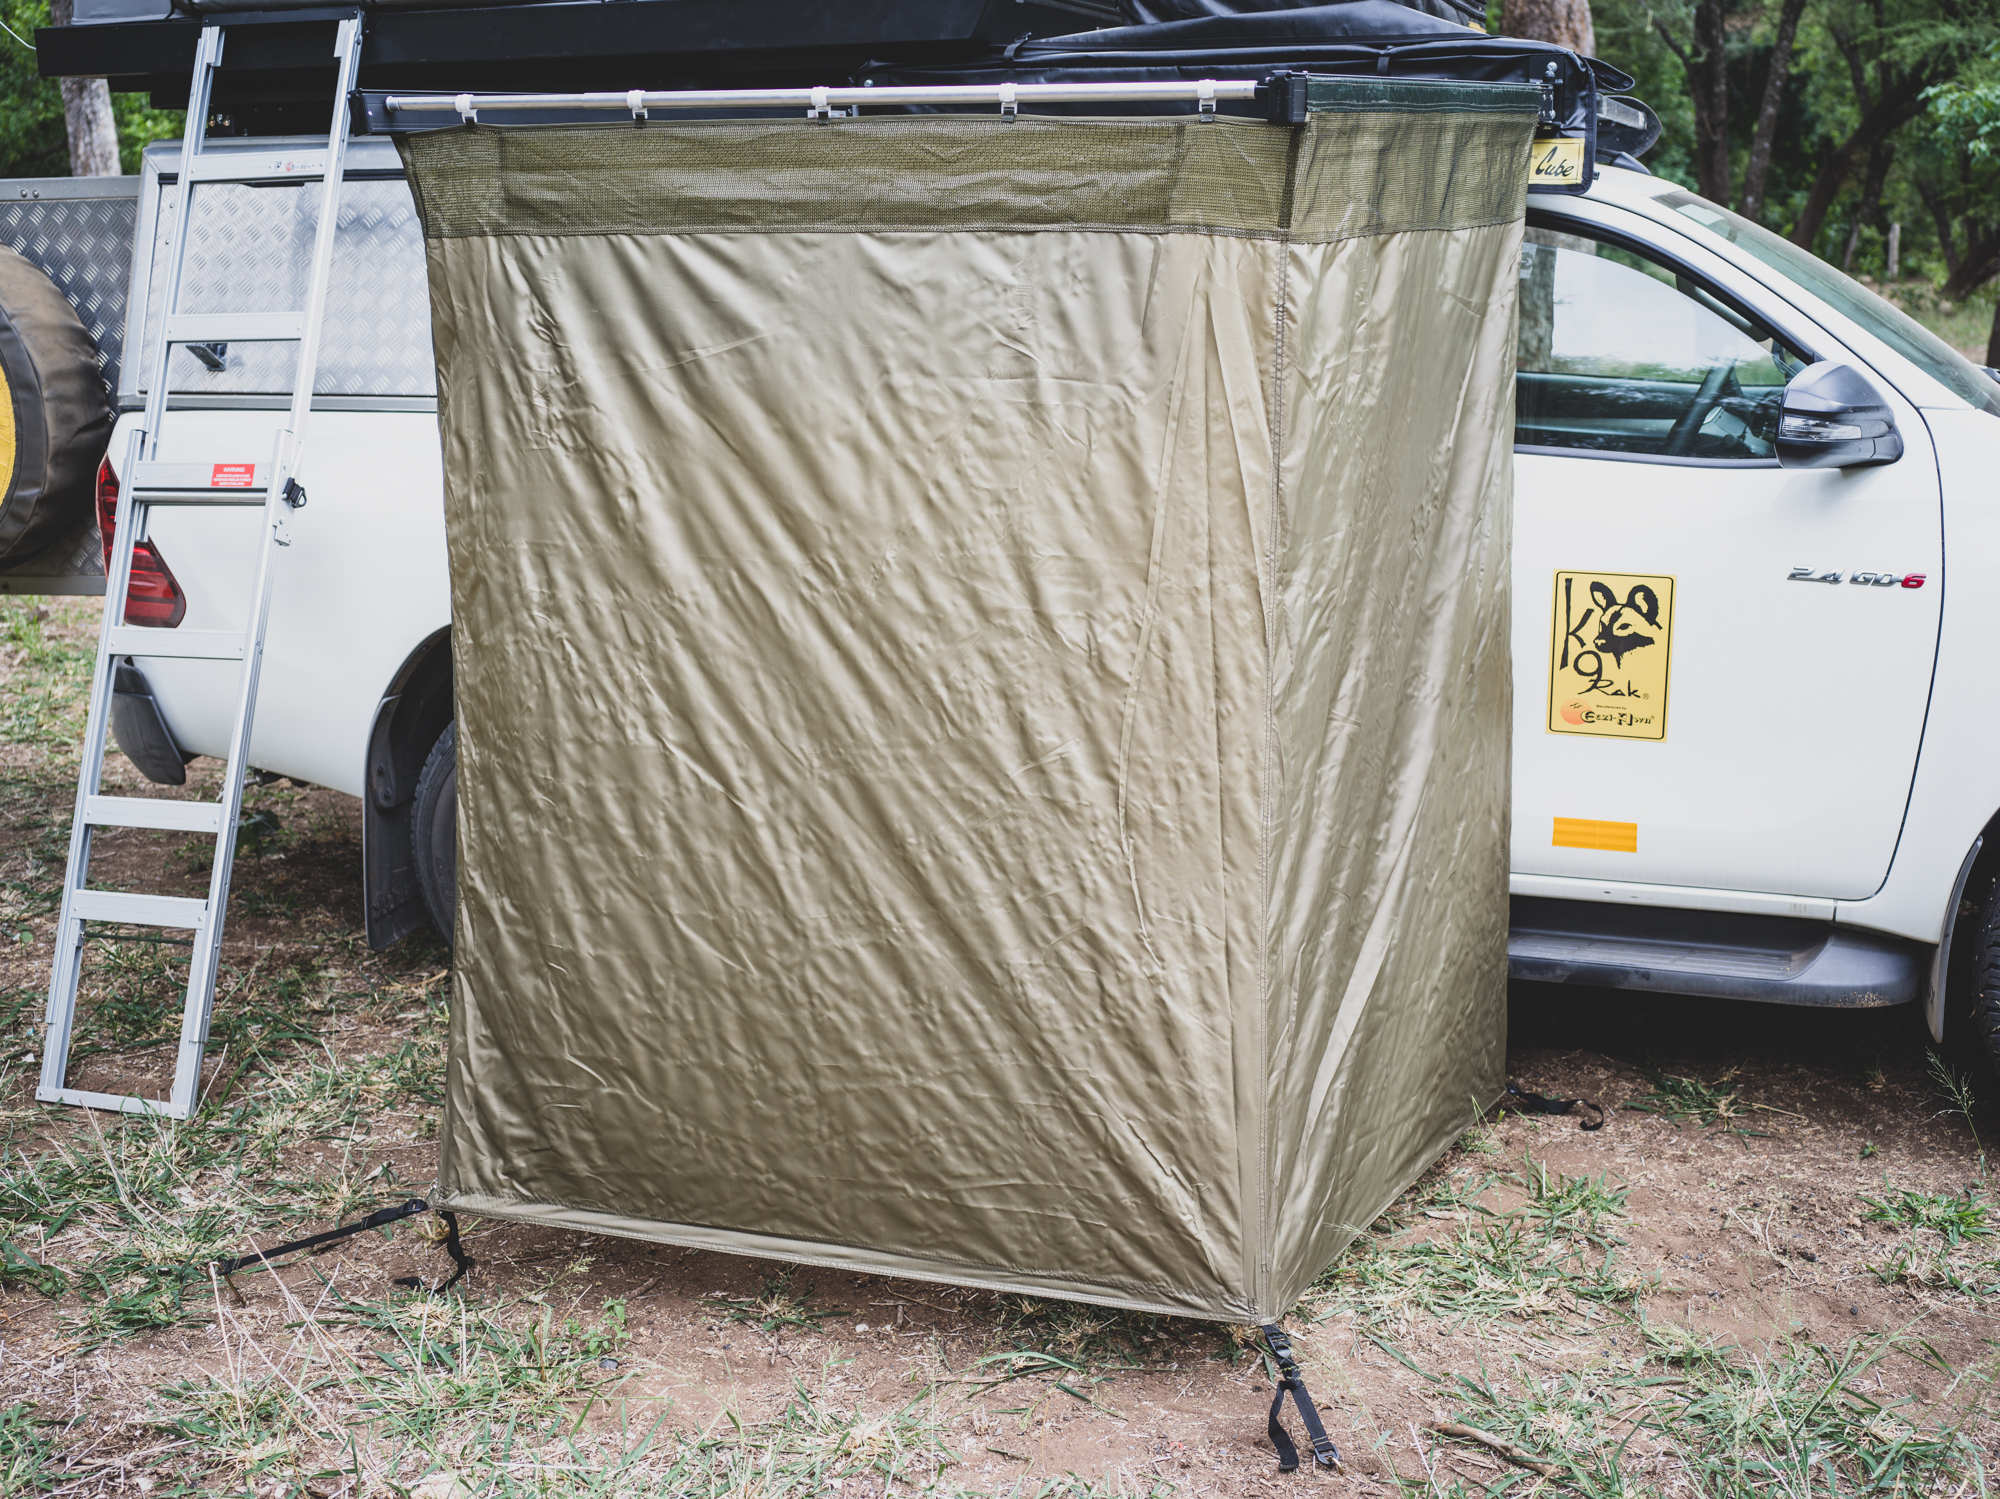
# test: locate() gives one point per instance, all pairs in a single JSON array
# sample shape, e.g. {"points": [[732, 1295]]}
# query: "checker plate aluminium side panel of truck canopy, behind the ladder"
{"points": [[251, 251]]}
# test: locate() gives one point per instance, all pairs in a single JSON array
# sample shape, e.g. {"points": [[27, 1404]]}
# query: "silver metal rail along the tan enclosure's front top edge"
{"points": [[821, 101]]}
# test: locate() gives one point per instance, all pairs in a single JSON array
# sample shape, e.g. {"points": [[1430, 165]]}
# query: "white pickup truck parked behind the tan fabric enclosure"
{"points": [[1753, 731]]}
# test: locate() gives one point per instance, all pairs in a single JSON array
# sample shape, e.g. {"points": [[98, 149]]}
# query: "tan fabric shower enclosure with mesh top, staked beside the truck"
{"points": [[983, 681]]}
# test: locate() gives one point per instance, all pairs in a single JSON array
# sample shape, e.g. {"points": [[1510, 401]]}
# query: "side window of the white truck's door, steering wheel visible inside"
{"points": [[1621, 355]]}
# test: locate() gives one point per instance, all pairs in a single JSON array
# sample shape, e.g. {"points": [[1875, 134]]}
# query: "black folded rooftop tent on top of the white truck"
{"points": [[277, 71]]}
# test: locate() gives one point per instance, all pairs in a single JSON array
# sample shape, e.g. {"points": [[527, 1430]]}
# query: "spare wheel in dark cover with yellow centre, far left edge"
{"points": [[55, 421]]}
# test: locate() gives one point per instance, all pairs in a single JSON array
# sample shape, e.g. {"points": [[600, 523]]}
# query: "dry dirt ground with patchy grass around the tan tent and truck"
{"points": [[1769, 1274]]}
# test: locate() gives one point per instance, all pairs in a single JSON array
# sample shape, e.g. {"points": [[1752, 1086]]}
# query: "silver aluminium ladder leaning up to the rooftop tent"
{"points": [[151, 483]]}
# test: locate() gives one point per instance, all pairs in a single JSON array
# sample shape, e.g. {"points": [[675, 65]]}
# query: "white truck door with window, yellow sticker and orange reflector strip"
{"points": [[1723, 667]]}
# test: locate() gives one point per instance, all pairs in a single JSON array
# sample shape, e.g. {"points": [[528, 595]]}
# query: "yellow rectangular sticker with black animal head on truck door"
{"points": [[1607, 669]]}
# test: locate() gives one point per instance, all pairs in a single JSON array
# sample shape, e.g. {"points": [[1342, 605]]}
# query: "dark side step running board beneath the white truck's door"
{"points": [[1713, 954]]}
